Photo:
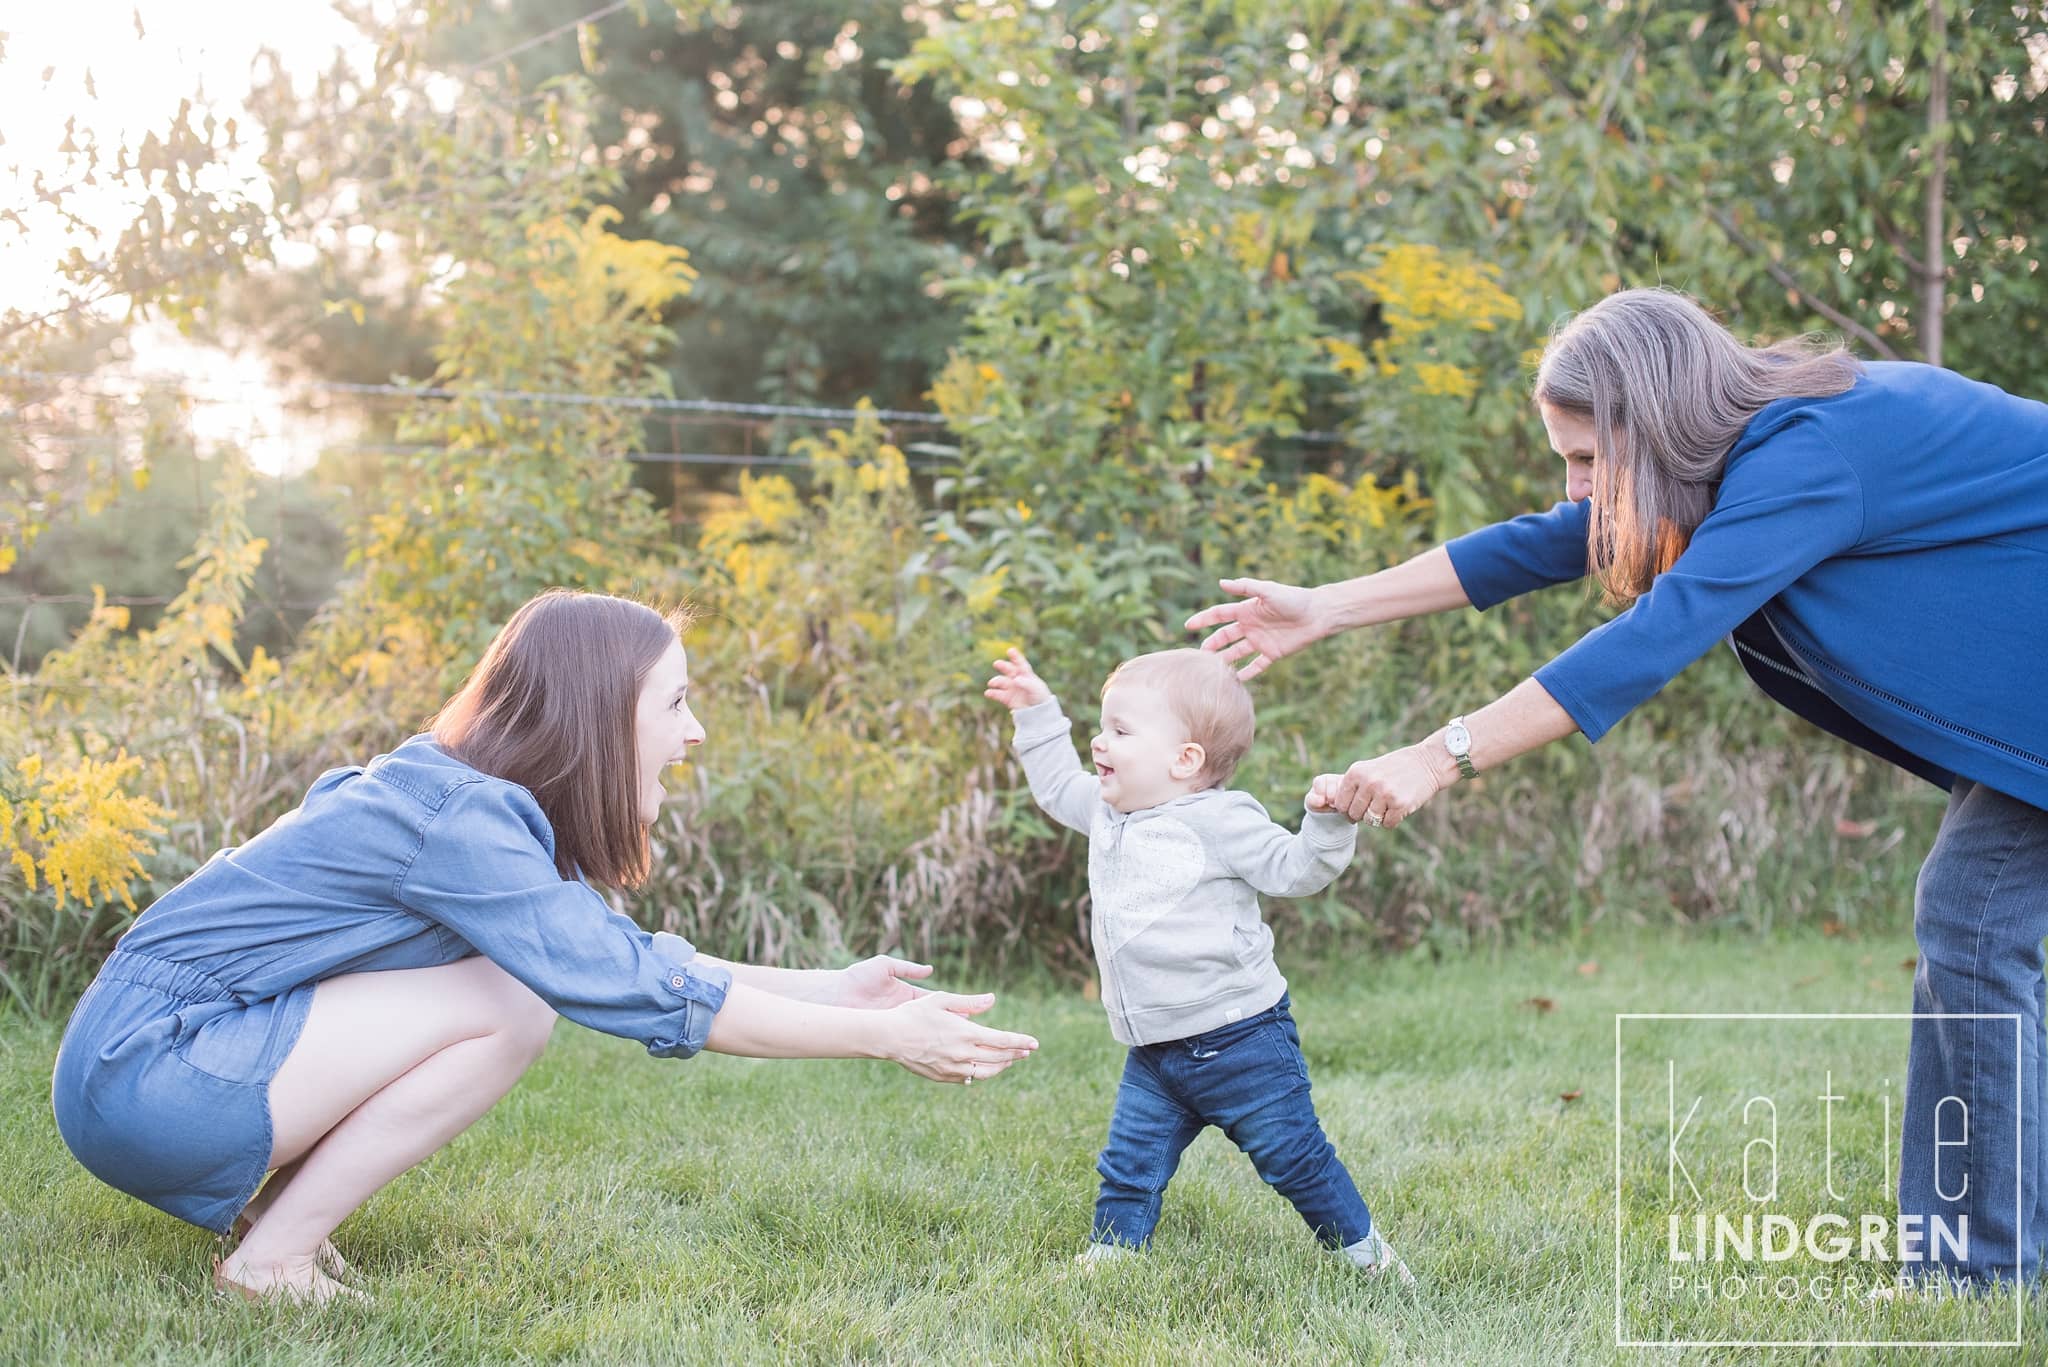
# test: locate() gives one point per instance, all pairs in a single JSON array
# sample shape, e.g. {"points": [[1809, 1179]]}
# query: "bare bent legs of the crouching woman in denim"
{"points": [[388, 1069]]}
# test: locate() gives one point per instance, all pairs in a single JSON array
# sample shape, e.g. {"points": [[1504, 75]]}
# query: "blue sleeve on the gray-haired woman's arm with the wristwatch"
{"points": [[1783, 507]]}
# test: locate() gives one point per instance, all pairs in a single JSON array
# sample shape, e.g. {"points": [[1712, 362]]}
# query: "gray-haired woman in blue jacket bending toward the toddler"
{"points": [[1875, 544]]}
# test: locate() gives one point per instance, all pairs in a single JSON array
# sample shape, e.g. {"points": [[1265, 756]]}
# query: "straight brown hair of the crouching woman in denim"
{"points": [[552, 706]]}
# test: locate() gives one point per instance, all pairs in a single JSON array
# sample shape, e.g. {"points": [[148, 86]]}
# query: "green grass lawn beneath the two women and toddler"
{"points": [[620, 1208]]}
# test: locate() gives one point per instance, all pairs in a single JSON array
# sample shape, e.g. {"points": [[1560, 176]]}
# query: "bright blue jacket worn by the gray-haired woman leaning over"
{"points": [[1879, 561]]}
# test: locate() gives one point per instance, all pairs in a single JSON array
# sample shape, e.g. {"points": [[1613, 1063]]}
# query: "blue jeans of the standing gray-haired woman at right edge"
{"points": [[1979, 915]]}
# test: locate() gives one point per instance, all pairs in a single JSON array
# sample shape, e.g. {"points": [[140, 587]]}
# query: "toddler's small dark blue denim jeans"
{"points": [[1248, 1081]]}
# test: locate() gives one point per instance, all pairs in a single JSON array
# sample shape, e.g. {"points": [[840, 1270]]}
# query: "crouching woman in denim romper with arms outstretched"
{"points": [[355, 987]]}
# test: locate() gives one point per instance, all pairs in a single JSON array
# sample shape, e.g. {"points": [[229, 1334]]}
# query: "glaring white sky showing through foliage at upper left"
{"points": [[142, 58]]}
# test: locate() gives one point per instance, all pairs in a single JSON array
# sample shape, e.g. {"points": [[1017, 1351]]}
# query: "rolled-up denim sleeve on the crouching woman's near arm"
{"points": [[486, 872]]}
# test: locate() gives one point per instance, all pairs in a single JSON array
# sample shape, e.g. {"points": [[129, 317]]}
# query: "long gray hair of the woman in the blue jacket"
{"points": [[1668, 392]]}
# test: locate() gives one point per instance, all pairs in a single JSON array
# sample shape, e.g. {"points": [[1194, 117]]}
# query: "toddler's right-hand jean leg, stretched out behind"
{"points": [[1258, 1095]]}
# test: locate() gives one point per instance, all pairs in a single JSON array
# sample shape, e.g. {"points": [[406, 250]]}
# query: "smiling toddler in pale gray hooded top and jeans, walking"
{"points": [[1175, 870]]}
